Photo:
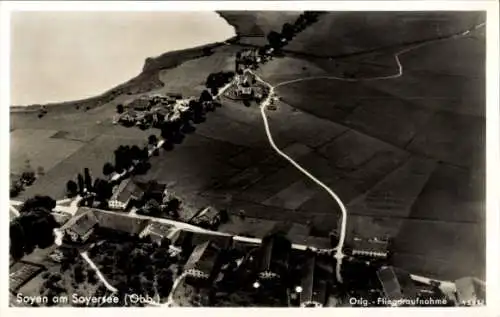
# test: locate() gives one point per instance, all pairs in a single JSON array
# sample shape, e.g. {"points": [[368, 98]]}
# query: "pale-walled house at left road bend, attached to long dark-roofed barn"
{"points": [[79, 228]]}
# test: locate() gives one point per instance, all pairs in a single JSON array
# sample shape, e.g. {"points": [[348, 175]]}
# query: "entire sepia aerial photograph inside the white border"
{"points": [[247, 159]]}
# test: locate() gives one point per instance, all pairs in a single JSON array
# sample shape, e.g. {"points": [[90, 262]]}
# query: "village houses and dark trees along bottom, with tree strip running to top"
{"points": [[126, 225]]}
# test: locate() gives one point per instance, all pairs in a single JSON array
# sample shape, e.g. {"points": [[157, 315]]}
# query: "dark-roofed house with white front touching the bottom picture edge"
{"points": [[313, 288]]}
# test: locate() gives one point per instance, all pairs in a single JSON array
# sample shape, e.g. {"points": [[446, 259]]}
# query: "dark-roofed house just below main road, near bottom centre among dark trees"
{"points": [[273, 258]]}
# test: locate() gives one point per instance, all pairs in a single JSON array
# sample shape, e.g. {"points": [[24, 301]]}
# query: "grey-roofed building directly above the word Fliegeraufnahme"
{"points": [[397, 285]]}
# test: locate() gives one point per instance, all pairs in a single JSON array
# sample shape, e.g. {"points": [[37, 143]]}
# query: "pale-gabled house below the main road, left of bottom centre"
{"points": [[203, 263]]}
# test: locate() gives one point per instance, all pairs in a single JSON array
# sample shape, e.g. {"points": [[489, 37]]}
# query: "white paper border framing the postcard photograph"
{"points": [[493, 133]]}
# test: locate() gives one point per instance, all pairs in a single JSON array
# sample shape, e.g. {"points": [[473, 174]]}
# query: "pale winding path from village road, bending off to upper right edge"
{"points": [[339, 255]]}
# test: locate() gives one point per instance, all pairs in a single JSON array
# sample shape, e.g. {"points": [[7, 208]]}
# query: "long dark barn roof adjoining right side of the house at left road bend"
{"points": [[120, 222]]}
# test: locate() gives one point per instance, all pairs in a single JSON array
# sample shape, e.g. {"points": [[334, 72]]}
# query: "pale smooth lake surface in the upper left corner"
{"points": [[64, 56]]}
